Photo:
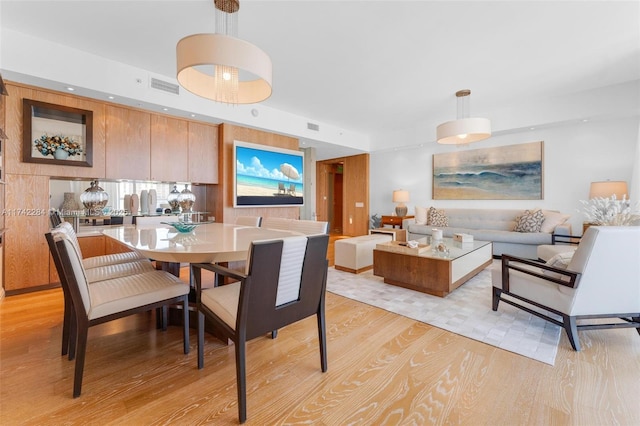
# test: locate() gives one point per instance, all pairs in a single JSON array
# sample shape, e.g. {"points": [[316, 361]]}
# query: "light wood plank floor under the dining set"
{"points": [[384, 369]]}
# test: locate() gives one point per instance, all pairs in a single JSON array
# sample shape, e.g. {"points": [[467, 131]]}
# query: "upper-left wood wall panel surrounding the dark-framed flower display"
{"points": [[14, 121]]}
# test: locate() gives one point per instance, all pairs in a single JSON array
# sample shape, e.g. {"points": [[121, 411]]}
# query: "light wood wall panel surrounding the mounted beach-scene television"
{"points": [[229, 133]]}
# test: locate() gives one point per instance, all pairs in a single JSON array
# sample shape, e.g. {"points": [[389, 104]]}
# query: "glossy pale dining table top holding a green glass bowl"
{"points": [[207, 243]]}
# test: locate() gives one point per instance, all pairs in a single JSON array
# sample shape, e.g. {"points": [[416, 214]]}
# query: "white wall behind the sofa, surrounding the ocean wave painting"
{"points": [[574, 156]]}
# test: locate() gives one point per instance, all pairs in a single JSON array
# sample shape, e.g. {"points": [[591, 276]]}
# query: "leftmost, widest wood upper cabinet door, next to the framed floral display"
{"points": [[128, 144]]}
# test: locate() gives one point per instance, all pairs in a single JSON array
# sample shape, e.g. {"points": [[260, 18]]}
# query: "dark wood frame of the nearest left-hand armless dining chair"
{"points": [[78, 322]]}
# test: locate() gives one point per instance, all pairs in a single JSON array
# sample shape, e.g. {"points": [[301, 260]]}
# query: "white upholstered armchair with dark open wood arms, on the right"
{"points": [[602, 280]]}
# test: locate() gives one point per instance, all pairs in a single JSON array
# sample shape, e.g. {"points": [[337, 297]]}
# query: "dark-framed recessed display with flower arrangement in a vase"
{"points": [[55, 134]]}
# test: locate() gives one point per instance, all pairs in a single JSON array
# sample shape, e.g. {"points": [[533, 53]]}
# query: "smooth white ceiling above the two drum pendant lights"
{"points": [[371, 66]]}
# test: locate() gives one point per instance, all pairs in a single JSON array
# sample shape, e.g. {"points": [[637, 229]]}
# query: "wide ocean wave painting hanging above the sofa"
{"points": [[512, 172]]}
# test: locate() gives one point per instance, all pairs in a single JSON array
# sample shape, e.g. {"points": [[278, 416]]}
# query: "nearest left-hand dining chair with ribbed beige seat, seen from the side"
{"points": [[109, 299]]}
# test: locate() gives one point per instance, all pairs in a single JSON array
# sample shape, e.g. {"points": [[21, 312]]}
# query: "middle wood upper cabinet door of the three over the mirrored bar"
{"points": [[169, 149]]}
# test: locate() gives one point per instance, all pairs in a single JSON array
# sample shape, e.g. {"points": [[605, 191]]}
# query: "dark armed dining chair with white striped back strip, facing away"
{"points": [[285, 282]]}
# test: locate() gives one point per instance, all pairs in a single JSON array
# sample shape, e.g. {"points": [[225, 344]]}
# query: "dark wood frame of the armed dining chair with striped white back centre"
{"points": [[257, 313]]}
